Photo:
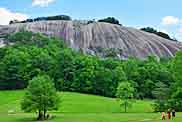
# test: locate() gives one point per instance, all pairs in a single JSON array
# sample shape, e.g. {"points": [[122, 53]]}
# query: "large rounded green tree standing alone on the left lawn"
{"points": [[40, 96]]}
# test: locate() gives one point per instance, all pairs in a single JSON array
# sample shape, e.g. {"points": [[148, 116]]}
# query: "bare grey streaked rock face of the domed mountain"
{"points": [[94, 36]]}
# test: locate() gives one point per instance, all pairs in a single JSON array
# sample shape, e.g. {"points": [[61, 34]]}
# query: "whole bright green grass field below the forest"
{"points": [[77, 107]]}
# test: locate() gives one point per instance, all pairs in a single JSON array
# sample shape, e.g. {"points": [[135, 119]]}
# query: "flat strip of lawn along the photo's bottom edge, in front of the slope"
{"points": [[90, 117]]}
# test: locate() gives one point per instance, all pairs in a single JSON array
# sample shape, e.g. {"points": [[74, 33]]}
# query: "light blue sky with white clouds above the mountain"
{"points": [[164, 15]]}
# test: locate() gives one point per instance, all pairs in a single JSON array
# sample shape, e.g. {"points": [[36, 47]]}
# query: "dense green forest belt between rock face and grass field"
{"points": [[33, 54]]}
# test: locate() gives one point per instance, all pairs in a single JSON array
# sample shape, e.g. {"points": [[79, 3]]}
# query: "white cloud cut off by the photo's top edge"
{"points": [[41, 3]]}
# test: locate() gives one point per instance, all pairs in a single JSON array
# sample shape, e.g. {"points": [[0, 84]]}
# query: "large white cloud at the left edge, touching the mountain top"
{"points": [[6, 16]]}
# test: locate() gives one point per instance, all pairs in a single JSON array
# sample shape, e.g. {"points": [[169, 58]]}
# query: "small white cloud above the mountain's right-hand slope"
{"points": [[170, 20]]}
